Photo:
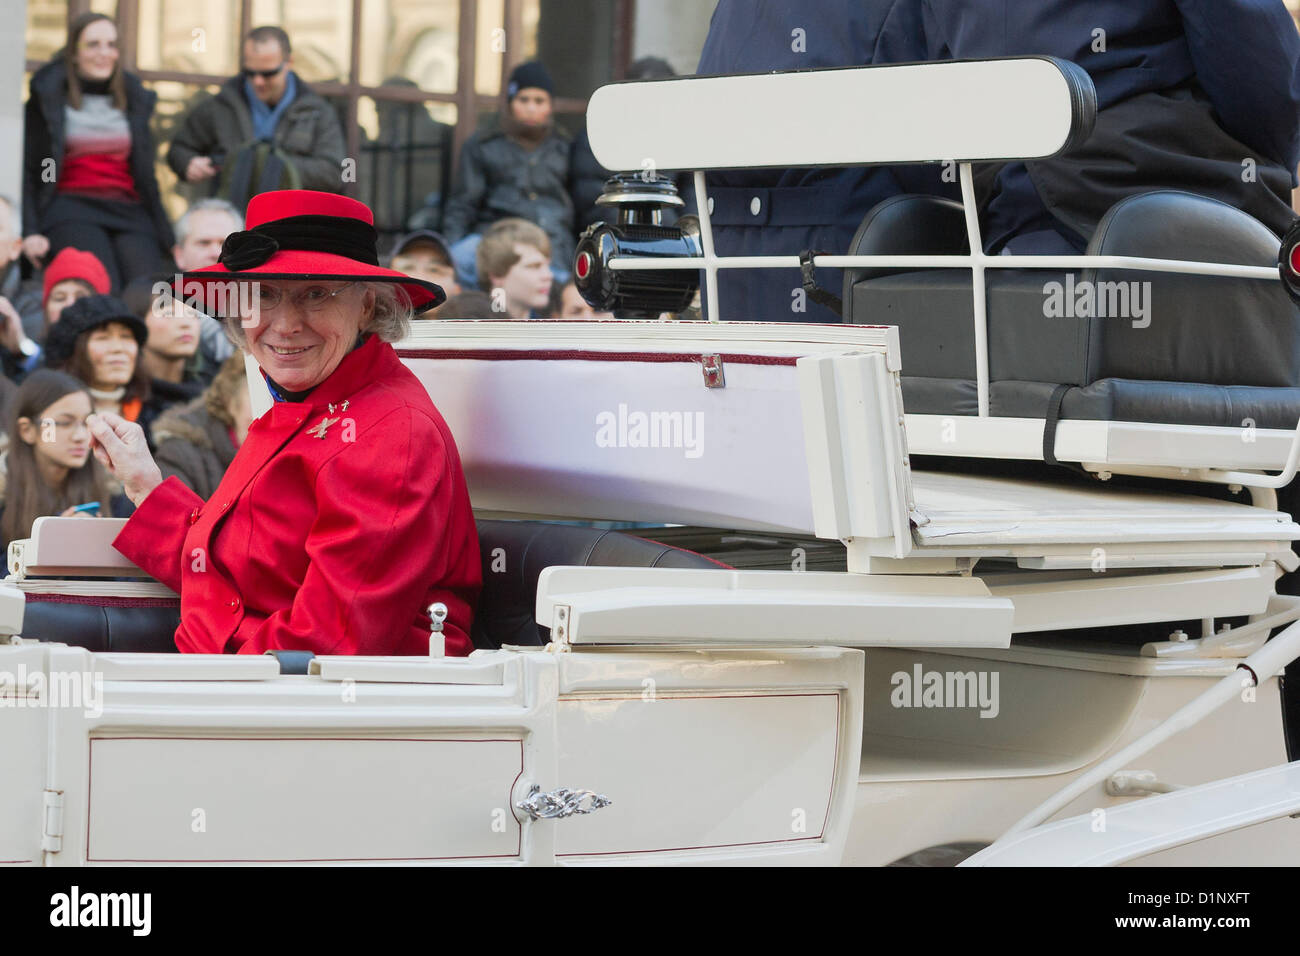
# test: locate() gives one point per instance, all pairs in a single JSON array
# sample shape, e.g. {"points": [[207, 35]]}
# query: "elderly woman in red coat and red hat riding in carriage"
{"points": [[345, 514]]}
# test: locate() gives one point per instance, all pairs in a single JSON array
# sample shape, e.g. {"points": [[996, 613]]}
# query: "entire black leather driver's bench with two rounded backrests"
{"points": [[1182, 349]]}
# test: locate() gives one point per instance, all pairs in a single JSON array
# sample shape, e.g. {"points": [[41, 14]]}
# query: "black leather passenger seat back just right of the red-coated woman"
{"points": [[515, 555]]}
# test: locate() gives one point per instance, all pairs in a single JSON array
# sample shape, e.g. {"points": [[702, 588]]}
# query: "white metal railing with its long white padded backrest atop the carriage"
{"points": [[1019, 109]]}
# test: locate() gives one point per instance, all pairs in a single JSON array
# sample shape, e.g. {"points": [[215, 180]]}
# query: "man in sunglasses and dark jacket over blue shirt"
{"points": [[265, 131]]}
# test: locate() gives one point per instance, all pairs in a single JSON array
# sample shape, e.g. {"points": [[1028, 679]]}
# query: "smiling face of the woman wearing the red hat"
{"points": [[307, 330]]}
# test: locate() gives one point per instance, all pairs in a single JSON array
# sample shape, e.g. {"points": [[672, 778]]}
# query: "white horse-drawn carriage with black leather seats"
{"points": [[874, 622]]}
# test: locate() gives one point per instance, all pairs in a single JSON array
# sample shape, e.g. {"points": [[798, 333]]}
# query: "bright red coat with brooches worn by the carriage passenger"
{"points": [[335, 544]]}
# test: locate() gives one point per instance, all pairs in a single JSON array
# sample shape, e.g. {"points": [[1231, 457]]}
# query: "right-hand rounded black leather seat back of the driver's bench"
{"points": [[1212, 330]]}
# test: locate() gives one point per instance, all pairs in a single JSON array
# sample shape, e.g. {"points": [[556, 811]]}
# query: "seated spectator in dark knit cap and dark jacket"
{"points": [[519, 170]]}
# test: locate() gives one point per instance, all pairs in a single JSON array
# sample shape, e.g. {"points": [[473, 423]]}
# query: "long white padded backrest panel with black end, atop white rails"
{"points": [[960, 111]]}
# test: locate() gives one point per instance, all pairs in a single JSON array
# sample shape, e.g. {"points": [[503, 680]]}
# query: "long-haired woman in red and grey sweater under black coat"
{"points": [[89, 159]]}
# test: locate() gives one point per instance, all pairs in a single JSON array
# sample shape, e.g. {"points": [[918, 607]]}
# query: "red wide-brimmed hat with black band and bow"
{"points": [[304, 235]]}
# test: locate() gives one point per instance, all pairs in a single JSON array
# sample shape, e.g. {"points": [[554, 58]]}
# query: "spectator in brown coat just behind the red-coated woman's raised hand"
{"points": [[198, 442]]}
